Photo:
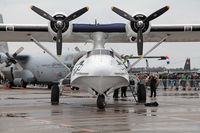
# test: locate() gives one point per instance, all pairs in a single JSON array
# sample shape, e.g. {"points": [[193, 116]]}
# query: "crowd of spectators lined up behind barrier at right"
{"points": [[173, 81]]}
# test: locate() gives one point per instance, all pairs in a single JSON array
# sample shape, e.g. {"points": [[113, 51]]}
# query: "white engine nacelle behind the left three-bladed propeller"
{"points": [[66, 29]]}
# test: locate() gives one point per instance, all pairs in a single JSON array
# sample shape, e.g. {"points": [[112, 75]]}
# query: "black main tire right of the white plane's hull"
{"points": [[141, 93]]}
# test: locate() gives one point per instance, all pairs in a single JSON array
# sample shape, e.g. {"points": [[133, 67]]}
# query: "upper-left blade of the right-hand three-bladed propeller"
{"points": [[123, 14]]}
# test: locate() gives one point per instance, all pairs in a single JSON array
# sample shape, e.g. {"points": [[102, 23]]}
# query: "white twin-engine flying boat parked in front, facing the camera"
{"points": [[99, 70]]}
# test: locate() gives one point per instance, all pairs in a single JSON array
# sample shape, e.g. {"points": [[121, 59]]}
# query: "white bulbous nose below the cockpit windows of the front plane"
{"points": [[101, 73]]}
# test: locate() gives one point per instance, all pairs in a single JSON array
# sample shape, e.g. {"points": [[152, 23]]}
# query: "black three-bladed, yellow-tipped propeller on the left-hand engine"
{"points": [[60, 24]]}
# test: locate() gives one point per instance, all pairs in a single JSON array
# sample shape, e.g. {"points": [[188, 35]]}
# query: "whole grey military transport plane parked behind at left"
{"points": [[35, 69]]}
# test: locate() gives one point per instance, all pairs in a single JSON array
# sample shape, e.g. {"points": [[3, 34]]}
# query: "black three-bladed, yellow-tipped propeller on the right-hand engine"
{"points": [[140, 23]]}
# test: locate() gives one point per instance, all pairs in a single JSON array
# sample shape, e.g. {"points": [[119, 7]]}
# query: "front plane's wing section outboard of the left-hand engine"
{"points": [[19, 33]]}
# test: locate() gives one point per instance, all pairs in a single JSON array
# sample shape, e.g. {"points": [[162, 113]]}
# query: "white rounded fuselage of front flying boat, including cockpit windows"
{"points": [[99, 70]]}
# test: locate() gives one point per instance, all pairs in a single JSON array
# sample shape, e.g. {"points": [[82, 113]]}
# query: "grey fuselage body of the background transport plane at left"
{"points": [[41, 69]]}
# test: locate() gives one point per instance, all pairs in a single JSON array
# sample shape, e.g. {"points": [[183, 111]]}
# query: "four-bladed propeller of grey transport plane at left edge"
{"points": [[11, 59]]}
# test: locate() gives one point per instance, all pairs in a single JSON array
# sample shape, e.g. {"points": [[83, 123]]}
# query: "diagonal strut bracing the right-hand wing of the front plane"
{"points": [[163, 40]]}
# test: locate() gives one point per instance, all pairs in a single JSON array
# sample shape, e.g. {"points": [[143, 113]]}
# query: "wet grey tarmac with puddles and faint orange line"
{"points": [[30, 111]]}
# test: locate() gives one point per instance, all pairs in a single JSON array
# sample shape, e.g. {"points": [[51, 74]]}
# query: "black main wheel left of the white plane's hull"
{"points": [[55, 95]]}
